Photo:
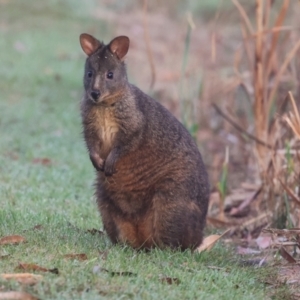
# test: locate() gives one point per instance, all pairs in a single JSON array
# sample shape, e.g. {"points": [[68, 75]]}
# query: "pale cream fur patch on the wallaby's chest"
{"points": [[106, 129]]}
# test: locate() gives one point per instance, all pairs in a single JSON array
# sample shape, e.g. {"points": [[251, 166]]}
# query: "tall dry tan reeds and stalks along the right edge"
{"points": [[265, 67]]}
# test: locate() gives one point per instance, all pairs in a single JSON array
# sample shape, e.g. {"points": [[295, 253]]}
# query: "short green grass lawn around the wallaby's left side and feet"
{"points": [[40, 89]]}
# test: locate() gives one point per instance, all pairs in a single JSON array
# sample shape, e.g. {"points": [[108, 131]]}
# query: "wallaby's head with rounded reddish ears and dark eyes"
{"points": [[105, 72]]}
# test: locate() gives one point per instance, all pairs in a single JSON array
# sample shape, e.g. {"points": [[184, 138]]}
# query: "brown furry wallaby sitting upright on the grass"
{"points": [[152, 187]]}
